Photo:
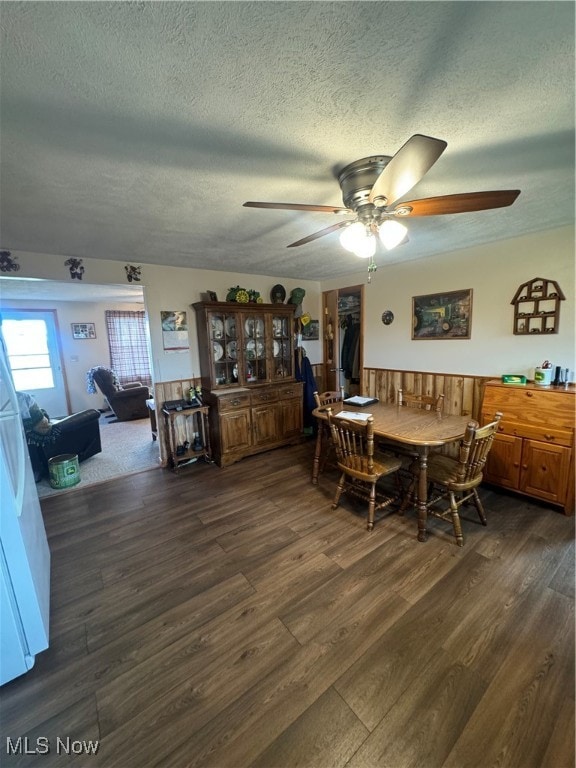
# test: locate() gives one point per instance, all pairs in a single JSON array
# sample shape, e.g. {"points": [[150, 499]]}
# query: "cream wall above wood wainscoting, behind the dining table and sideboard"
{"points": [[494, 272]]}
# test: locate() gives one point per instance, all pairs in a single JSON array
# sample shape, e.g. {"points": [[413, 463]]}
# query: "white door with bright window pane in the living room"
{"points": [[35, 359]]}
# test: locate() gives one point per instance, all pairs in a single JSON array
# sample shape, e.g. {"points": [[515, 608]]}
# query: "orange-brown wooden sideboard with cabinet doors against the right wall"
{"points": [[534, 450]]}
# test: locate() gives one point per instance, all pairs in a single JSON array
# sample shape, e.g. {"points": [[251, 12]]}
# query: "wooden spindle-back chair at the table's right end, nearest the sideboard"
{"points": [[456, 480]]}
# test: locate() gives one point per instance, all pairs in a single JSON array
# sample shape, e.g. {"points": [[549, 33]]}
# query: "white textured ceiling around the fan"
{"points": [[134, 131]]}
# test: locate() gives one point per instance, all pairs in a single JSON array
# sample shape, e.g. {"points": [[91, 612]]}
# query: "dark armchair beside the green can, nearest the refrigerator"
{"points": [[78, 434]]}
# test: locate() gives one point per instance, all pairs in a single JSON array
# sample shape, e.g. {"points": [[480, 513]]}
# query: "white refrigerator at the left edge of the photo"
{"points": [[24, 552]]}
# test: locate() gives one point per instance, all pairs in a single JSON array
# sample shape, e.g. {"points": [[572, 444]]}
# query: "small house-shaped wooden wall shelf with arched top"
{"points": [[537, 307]]}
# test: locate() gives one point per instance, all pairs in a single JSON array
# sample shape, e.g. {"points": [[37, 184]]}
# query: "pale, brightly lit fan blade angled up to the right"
{"points": [[406, 168]]}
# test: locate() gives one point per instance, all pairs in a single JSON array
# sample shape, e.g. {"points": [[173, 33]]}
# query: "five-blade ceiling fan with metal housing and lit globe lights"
{"points": [[370, 188]]}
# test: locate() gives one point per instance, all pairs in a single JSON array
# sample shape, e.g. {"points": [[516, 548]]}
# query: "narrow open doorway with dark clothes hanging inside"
{"points": [[343, 334]]}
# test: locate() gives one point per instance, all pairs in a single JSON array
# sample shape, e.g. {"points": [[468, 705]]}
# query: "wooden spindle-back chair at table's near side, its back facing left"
{"points": [[360, 468]]}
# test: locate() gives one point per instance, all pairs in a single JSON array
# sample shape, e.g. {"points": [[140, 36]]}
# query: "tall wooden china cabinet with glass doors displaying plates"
{"points": [[247, 369]]}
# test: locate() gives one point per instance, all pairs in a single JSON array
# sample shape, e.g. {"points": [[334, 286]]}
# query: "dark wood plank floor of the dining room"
{"points": [[228, 617]]}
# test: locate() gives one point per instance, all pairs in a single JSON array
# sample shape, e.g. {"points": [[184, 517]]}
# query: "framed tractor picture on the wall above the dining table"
{"points": [[442, 315]]}
